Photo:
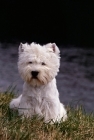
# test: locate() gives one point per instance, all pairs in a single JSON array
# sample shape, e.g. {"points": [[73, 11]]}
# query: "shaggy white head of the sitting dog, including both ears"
{"points": [[38, 64]]}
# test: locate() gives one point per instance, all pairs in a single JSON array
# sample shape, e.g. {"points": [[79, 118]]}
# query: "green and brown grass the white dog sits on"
{"points": [[79, 126]]}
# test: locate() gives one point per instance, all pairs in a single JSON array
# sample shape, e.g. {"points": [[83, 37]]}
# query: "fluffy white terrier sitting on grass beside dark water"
{"points": [[38, 66]]}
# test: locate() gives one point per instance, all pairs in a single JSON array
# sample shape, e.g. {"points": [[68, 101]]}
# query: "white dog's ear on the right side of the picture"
{"points": [[52, 47]]}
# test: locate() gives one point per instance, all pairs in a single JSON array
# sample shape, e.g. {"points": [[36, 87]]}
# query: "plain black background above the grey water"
{"points": [[66, 22]]}
